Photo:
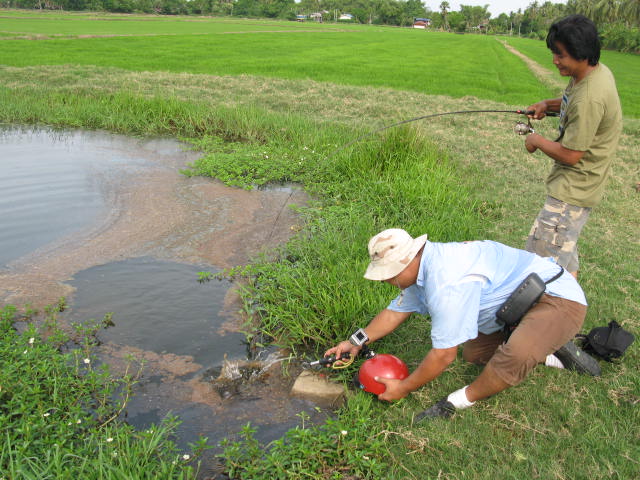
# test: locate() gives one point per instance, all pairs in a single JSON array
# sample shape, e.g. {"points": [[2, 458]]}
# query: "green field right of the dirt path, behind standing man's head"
{"points": [[625, 67]]}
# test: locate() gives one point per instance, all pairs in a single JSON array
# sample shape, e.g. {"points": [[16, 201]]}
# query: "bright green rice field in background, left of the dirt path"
{"points": [[483, 68]]}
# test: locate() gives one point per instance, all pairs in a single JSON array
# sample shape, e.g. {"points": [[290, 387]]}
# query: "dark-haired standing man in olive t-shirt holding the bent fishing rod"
{"points": [[590, 127]]}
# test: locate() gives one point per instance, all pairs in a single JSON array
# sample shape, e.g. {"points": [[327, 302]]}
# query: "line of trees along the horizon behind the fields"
{"points": [[618, 20]]}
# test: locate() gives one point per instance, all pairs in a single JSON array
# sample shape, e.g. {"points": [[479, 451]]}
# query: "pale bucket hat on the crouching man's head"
{"points": [[391, 251]]}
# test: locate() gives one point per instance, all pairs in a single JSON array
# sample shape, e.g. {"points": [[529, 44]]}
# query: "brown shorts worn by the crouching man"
{"points": [[551, 323]]}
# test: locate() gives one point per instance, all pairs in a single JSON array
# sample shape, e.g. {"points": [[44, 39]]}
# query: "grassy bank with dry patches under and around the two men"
{"points": [[456, 178]]}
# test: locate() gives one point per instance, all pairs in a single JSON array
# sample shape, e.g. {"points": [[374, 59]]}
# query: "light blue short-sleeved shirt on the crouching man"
{"points": [[462, 285]]}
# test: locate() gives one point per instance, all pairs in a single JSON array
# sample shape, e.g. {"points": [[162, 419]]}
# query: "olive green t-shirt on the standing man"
{"points": [[590, 122]]}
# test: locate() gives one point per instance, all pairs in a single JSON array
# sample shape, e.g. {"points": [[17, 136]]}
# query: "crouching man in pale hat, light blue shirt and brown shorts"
{"points": [[461, 286]]}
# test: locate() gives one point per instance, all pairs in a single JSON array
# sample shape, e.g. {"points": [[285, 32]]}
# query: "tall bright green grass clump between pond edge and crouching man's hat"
{"points": [[402, 181]]}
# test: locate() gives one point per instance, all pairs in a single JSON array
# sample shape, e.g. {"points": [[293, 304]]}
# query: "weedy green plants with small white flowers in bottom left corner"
{"points": [[60, 412]]}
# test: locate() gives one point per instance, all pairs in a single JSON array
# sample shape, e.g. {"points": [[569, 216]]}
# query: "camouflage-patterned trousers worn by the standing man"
{"points": [[556, 230]]}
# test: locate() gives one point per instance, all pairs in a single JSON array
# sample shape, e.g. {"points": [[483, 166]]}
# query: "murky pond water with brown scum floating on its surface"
{"points": [[109, 222]]}
